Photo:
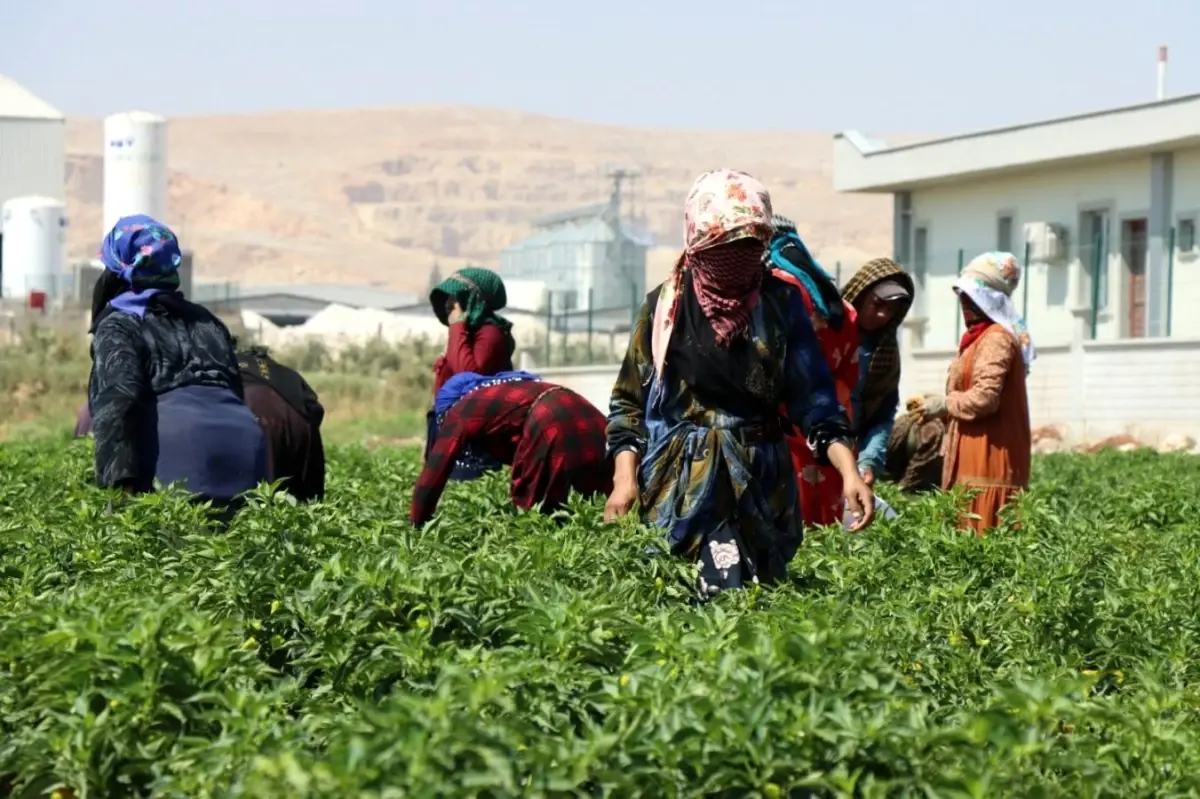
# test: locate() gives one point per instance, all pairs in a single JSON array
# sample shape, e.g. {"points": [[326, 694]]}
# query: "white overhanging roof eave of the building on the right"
{"points": [[871, 167]]}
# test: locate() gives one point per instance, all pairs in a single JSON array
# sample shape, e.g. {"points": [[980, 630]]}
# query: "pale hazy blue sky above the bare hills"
{"points": [[922, 67]]}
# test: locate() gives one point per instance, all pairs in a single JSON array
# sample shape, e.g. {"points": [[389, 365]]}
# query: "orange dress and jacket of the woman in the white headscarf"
{"points": [[988, 436]]}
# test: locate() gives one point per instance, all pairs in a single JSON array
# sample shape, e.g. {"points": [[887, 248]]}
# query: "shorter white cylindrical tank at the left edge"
{"points": [[34, 247]]}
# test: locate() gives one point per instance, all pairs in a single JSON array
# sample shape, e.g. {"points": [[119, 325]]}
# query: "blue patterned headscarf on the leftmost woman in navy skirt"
{"points": [[146, 255]]}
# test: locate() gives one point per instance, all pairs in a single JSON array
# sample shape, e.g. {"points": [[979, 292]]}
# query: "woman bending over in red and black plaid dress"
{"points": [[554, 438]]}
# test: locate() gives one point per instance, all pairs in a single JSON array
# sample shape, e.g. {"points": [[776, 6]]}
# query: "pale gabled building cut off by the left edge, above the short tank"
{"points": [[33, 147]]}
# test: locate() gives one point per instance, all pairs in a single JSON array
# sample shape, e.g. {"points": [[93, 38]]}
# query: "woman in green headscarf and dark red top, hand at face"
{"points": [[479, 343]]}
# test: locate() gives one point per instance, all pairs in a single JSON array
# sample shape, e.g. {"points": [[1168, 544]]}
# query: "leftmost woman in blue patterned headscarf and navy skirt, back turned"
{"points": [[165, 393]]}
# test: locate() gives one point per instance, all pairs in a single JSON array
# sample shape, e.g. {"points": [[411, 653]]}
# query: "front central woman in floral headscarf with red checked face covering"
{"points": [[695, 425]]}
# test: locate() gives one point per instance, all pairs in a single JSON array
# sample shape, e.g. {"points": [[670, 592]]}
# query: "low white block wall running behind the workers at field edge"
{"points": [[1149, 388]]}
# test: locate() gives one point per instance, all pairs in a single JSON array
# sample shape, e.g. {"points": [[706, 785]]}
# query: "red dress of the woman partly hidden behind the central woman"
{"points": [[820, 486]]}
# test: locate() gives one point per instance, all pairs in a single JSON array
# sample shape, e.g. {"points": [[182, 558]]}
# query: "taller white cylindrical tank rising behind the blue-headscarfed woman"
{"points": [[135, 167]]}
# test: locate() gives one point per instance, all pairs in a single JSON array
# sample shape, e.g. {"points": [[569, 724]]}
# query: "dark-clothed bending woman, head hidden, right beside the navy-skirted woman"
{"points": [[291, 416]]}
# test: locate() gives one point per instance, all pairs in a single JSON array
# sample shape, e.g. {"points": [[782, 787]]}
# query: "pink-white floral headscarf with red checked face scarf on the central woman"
{"points": [[723, 207]]}
